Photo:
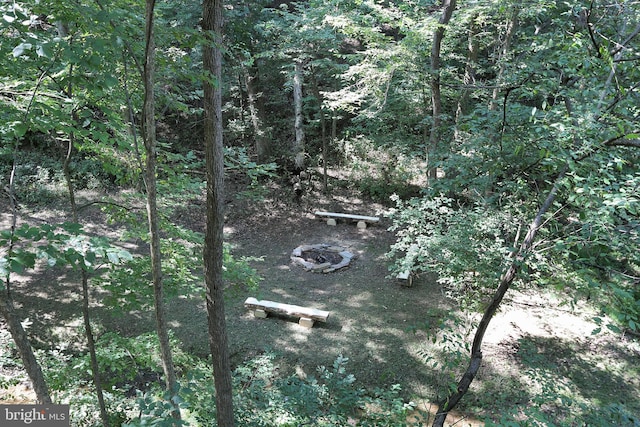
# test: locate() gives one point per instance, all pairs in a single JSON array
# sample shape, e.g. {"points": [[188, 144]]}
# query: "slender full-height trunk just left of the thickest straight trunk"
{"points": [[149, 131]]}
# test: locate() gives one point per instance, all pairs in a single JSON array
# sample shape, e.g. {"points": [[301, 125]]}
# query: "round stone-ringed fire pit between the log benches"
{"points": [[321, 258]]}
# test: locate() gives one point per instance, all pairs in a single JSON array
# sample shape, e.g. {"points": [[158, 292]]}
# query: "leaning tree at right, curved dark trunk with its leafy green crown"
{"points": [[546, 106]]}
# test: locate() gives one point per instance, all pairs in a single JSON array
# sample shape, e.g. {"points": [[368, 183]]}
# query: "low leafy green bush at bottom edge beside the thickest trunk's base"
{"points": [[263, 398]]}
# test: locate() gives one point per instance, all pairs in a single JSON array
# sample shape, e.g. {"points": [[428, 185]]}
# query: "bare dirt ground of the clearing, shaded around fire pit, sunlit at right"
{"points": [[374, 321]]}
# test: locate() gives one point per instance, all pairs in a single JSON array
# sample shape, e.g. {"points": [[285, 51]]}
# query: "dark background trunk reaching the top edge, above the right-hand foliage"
{"points": [[436, 99]]}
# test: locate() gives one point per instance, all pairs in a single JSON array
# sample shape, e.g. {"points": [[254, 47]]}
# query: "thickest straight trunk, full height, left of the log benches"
{"points": [[213, 245]]}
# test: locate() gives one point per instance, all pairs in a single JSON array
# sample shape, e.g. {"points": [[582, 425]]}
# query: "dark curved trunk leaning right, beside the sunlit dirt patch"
{"points": [[452, 400]]}
